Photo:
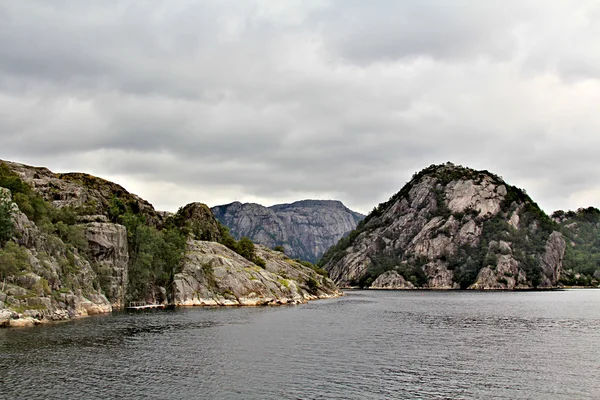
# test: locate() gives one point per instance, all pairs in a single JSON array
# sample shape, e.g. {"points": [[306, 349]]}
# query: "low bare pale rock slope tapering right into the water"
{"points": [[214, 275]]}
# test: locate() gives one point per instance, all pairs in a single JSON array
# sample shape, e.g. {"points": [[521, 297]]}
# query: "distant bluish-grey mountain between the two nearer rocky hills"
{"points": [[305, 229]]}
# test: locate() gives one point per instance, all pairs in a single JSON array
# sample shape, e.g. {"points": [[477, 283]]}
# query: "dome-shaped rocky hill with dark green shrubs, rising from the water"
{"points": [[451, 227]]}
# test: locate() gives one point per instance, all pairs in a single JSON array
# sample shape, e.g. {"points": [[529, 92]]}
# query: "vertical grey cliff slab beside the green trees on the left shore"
{"points": [[108, 248]]}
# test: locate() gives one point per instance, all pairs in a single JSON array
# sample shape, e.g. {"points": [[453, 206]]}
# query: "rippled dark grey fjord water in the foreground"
{"points": [[367, 345]]}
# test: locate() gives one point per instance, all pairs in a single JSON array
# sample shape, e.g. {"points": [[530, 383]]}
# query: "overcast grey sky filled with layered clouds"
{"points": [[275, 101]]}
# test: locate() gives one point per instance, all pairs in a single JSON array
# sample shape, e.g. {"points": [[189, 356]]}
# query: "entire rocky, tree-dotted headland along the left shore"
{"points": [[73, 245]]}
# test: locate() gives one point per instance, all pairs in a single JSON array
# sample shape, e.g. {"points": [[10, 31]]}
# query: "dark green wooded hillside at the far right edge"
{"points": [[582, 258]]}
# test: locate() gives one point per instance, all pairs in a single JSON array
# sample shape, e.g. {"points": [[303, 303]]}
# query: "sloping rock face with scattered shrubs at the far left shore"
{"points": [[53, 282]]}
